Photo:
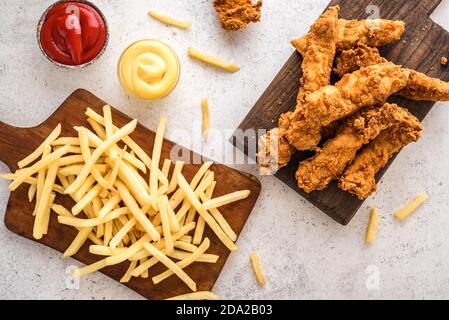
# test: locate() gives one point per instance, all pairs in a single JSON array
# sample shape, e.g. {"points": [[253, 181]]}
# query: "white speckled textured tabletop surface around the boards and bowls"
{"points": [[304, 253]]}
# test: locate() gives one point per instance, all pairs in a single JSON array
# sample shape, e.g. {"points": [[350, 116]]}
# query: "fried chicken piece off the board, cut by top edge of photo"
{"points": [[237, 14]]}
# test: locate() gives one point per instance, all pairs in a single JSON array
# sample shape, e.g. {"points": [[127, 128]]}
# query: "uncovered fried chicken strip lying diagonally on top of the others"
{"points": [[366, 87]]}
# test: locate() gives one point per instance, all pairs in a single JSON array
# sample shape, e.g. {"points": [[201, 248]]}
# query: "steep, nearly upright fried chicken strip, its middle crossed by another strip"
{"points": [[274, 150]]}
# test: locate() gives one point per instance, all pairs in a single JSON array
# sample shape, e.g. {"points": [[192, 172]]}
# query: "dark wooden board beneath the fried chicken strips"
{"points": [[421, 48]]}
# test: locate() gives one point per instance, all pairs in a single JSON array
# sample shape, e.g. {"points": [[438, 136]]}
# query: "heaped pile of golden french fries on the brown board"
{"points": [[126, 205]]}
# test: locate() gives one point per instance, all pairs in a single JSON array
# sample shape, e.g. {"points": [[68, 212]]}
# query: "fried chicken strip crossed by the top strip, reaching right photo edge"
{"points": [[419, 86]]}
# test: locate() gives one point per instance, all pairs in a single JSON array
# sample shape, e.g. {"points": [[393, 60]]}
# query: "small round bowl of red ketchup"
{"points": [[73, 34]]}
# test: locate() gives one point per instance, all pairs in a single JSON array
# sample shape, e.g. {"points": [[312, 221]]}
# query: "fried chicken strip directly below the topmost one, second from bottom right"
{"points": [[330, 162]]}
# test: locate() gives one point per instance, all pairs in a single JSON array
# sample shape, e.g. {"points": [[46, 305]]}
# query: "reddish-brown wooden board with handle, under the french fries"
{"points": [[16, 143]]}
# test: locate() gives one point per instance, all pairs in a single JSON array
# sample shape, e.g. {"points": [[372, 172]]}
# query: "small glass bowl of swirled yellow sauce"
{"points": [[148, 69]]}
